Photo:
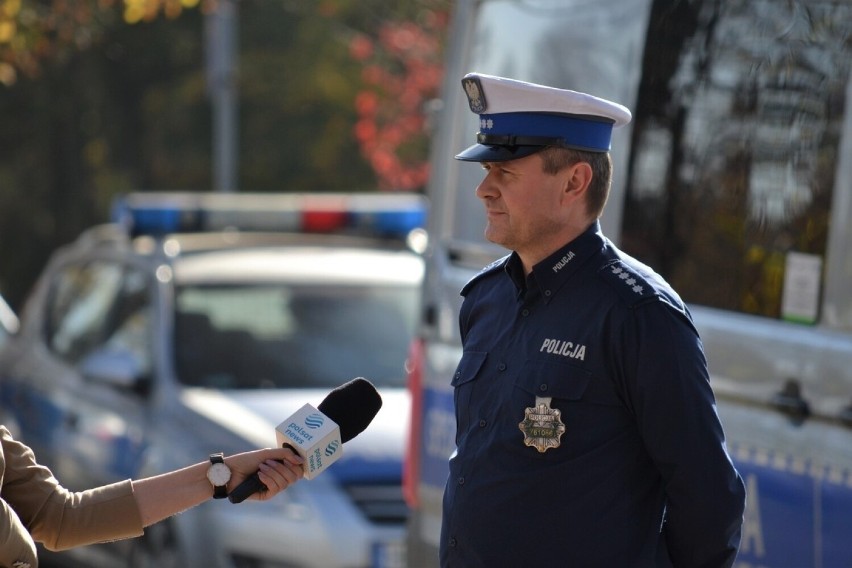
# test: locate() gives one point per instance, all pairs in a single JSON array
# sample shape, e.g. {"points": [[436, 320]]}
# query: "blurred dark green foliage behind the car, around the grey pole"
{"points": [[99, 97]]}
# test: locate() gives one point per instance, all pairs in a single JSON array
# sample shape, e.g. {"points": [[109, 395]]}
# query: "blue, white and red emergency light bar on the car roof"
{"points": [[159, 213]]}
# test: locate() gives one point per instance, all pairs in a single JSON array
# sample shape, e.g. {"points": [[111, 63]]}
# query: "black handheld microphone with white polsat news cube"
{"points": [[318, 434]]}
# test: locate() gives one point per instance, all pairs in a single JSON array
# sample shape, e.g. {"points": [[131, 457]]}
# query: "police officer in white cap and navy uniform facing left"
{"points": [[587, 433]]}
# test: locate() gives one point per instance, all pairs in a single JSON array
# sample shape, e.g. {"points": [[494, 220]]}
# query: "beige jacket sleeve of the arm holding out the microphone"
{"points": [[34, 507]]}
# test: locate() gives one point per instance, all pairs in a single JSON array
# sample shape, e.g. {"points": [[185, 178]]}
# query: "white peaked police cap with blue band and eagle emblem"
{"points": [[517, 119]]}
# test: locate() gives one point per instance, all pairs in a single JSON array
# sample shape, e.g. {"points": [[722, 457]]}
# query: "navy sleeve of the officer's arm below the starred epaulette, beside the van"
{"points": [[667, 381]]}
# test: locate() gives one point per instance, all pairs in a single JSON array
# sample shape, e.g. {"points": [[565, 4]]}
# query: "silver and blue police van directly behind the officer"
{"points": [[734, 181]]}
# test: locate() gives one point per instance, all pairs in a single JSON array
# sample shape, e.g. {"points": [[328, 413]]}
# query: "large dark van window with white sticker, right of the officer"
{"points": [[735, 140]]}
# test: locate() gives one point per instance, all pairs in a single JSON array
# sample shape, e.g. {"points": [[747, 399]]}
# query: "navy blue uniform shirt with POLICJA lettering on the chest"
{"points": [[641, 477]]}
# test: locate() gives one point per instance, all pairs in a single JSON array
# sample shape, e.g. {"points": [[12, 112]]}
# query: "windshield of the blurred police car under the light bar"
{"points": [[286, 336]]}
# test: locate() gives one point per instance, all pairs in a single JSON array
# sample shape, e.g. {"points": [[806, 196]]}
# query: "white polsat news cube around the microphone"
{"points": [[314, 436]]}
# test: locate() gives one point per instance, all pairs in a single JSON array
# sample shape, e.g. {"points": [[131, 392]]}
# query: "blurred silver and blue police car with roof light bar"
{"points": [[196, 323]]}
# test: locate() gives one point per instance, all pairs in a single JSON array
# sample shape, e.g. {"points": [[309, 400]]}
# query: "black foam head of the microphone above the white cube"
{"points": [[352, 406]]}
